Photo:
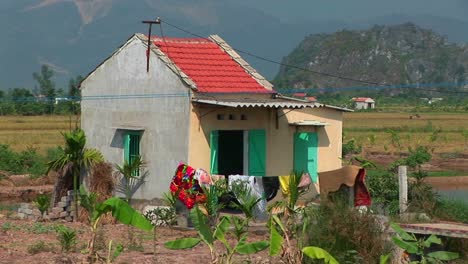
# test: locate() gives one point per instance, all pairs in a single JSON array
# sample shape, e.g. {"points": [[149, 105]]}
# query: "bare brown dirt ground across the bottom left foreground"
{"points": [[18, 238]]}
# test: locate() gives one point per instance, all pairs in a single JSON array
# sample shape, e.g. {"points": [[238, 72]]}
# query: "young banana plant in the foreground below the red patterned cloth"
{"points": [[220, 233]]}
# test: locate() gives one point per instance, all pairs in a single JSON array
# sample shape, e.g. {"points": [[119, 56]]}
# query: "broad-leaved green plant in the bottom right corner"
{"points": [[418, 247]]}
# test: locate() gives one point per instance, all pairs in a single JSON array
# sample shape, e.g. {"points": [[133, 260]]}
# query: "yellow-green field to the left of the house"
{"points": [[38, 132]]}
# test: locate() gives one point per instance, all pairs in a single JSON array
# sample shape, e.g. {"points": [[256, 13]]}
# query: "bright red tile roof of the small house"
{"points": [[208, 65]]}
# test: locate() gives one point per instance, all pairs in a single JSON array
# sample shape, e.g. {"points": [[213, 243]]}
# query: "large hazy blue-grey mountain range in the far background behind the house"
{"points": [[74, 36]]}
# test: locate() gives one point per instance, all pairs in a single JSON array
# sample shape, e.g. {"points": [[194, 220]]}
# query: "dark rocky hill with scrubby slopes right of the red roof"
{"points": [[397, 54]]}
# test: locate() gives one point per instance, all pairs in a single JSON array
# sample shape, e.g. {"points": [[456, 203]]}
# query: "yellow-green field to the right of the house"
{"points": [[447, 133]]}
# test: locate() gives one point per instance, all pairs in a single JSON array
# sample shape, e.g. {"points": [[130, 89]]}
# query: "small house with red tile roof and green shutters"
{"points": [[200, 103]]}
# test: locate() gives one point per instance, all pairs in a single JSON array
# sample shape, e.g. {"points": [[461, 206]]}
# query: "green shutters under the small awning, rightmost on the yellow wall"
{"points": [[305, 153]]}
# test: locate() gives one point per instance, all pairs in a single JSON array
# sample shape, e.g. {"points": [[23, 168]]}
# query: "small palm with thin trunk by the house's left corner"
{"points": [[75, 157]]}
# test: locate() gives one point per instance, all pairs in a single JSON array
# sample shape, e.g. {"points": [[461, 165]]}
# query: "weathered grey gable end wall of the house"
{"points": [[163, 114]]}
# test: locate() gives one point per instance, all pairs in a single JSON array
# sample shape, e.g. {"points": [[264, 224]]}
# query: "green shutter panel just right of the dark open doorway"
{"points": [[257, 152]]}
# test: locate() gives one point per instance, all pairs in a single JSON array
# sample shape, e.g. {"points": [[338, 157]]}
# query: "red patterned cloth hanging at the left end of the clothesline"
{"points": [[186, 187]]}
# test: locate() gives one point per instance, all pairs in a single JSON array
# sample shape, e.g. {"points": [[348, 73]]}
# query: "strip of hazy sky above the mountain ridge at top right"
{"points": [[358, 9]]}
